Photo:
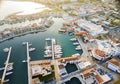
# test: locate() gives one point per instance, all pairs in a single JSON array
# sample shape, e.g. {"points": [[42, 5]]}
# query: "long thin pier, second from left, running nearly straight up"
{"points": [[28, 64]]}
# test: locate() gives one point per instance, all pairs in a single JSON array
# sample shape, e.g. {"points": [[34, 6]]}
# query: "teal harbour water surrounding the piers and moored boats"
{"points": [[18, 53]]}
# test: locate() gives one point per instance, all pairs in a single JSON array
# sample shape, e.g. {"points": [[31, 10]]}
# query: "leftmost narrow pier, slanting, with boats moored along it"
{"points": [[6, 65]]}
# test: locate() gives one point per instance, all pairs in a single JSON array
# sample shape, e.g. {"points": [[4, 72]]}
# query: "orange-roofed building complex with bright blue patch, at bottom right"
{"points": [[94, 76]]}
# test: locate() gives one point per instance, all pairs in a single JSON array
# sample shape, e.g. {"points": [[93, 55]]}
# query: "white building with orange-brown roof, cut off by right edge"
{"points": [[114, 65]]}
